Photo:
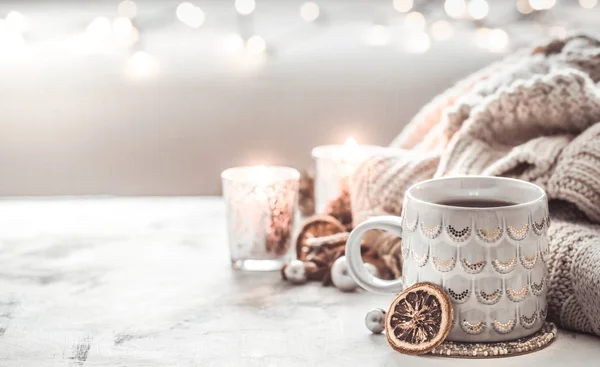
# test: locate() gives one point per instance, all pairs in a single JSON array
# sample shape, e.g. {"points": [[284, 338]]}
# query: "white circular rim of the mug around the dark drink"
{"points": [[541, 197]]}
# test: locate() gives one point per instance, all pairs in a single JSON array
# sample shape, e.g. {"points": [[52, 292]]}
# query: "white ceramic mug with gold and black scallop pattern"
{"points": [[490, 260]]}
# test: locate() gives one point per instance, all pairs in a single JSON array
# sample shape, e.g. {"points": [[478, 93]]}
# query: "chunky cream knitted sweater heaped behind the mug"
{"points": [[535, 116]]}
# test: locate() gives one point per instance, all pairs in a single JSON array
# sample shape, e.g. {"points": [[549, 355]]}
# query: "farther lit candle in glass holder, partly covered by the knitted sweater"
{"points": [[334, 166]]}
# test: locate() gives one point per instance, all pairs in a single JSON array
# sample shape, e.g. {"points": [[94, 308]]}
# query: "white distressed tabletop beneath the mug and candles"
{"points": [[147, 282]]}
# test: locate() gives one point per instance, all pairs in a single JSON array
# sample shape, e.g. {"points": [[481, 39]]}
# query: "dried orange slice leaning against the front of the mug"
{"points": [[419, 319]]}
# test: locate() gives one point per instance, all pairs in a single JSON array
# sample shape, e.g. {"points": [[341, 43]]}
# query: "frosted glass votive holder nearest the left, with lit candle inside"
{"points": [[261, 203]]}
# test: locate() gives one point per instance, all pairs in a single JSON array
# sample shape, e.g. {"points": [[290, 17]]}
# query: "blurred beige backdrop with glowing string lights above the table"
{"points": [[157, 97]]}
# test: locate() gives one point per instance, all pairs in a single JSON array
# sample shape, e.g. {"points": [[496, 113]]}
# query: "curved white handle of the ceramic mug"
{"points": [[356, 266]]}
